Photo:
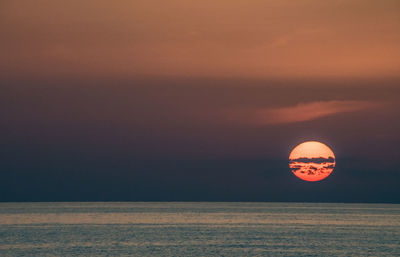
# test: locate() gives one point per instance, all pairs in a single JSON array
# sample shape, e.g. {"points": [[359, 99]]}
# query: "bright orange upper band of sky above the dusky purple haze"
{"points": [[212, 38]]}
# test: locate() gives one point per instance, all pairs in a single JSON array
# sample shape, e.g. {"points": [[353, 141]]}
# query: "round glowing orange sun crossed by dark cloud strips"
{"points": [[312, 161]]}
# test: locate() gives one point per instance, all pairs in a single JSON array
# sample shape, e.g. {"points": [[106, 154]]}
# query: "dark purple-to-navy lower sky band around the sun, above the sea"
{"points": [[169, 139]]}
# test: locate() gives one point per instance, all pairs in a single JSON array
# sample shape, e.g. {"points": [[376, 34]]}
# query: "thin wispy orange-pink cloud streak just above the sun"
{"points": [[308, 111]]}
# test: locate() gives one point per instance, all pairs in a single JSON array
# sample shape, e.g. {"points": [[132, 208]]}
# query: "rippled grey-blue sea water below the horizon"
{"points": [[199, 229]]}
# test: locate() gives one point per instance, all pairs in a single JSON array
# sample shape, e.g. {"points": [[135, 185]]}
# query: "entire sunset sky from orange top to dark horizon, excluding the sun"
{"points": [[197, 101]]}
